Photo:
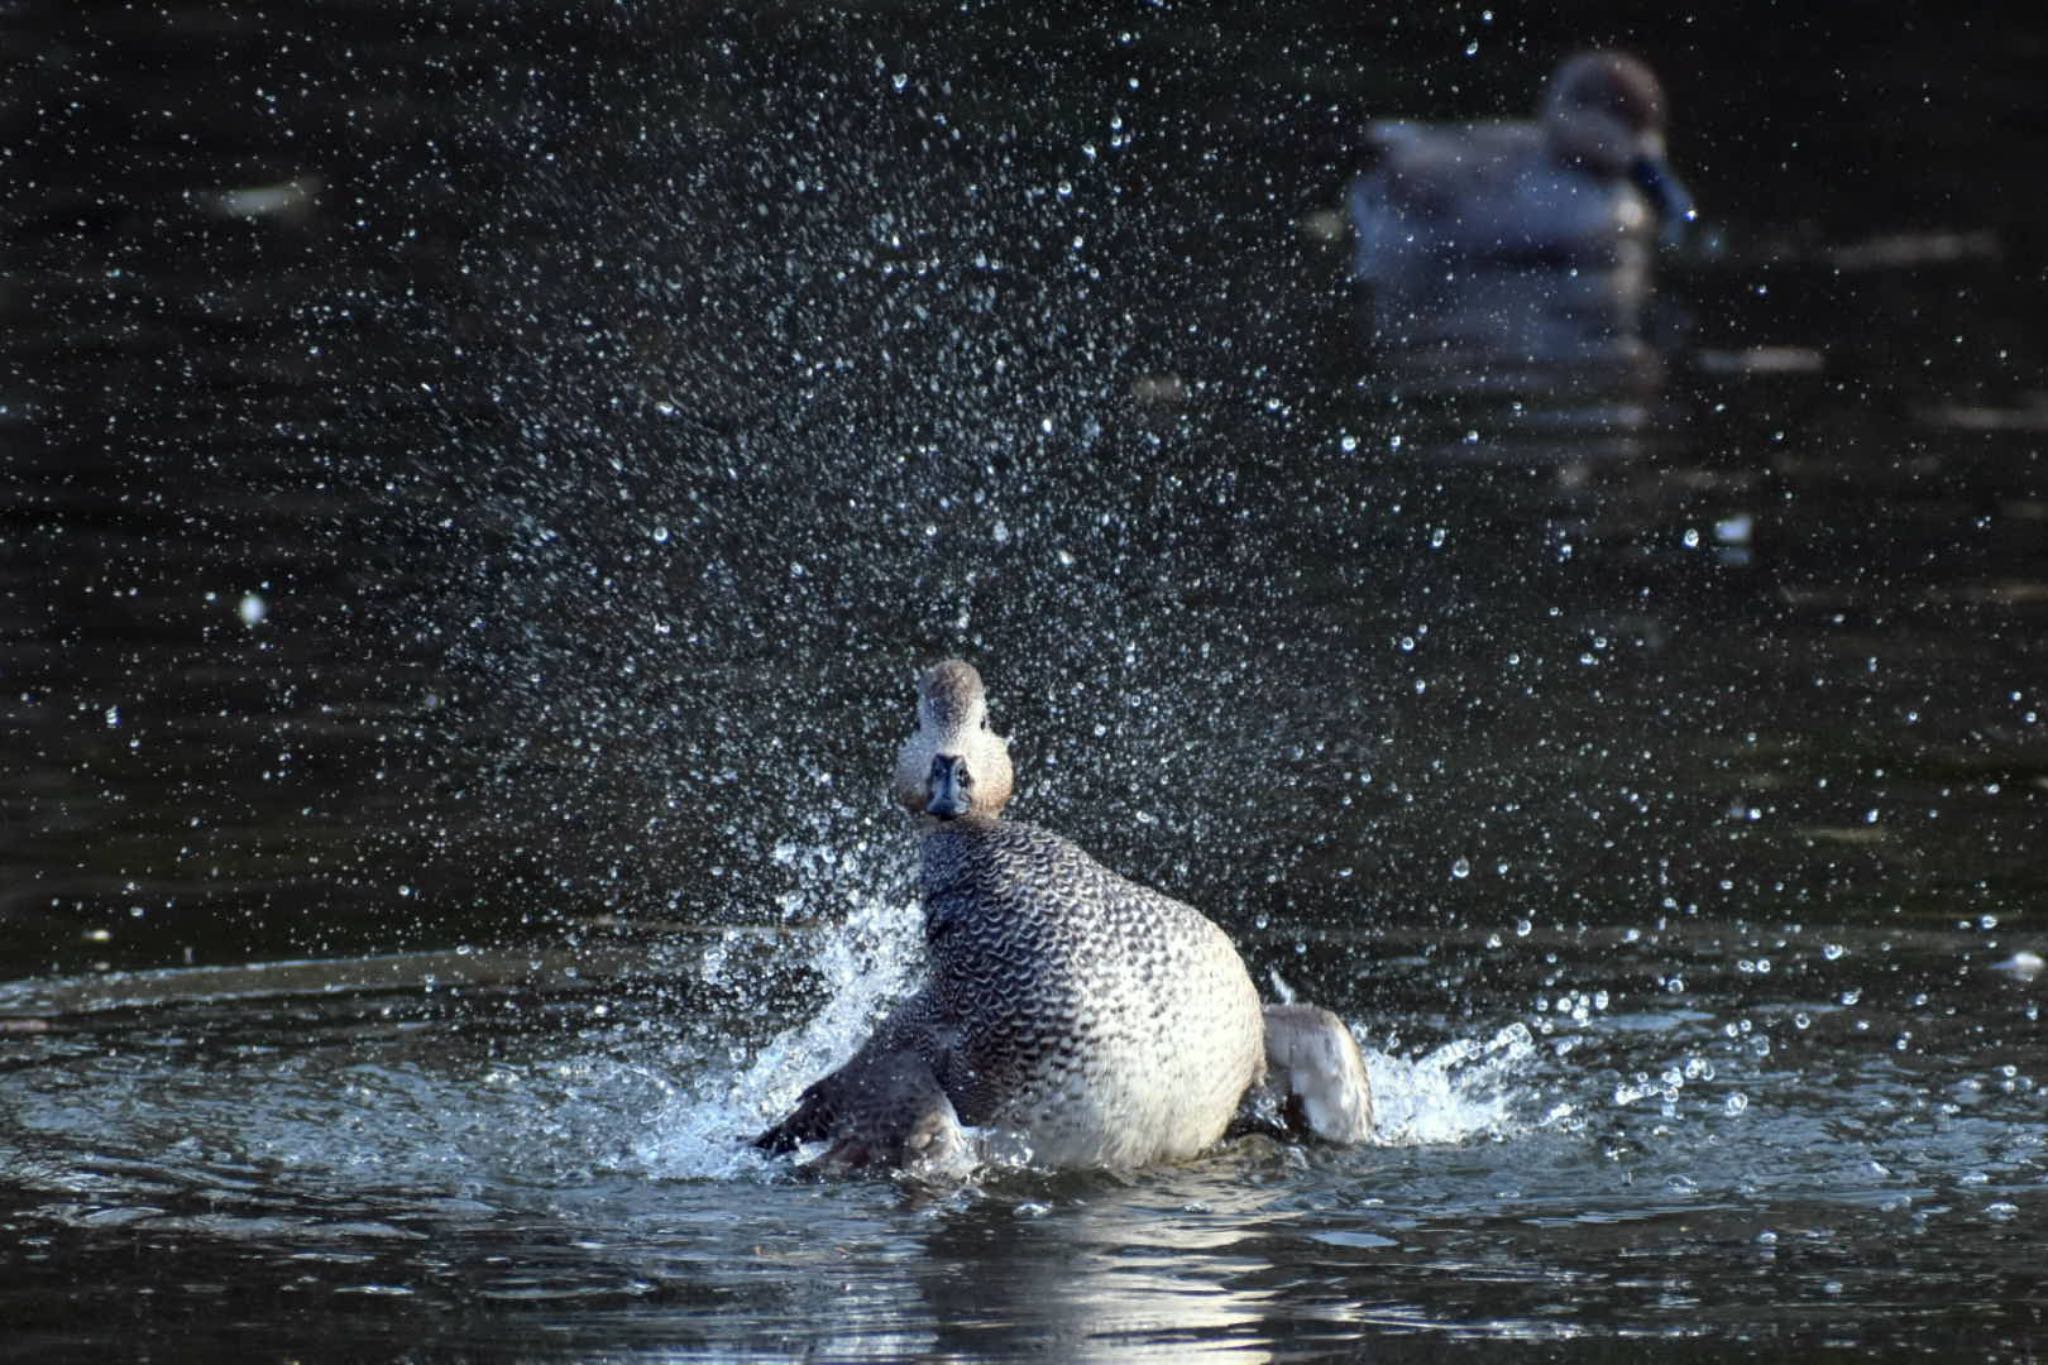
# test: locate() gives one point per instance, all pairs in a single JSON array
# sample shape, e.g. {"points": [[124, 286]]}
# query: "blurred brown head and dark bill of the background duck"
{"points": [[1605, 114]]}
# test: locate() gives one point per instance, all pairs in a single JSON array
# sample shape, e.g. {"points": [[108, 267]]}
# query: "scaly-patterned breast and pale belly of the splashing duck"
{"points": [[1103, 1022]]}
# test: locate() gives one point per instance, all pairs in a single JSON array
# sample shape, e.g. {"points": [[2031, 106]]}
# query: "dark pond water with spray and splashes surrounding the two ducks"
{"points": [[478, 482]]}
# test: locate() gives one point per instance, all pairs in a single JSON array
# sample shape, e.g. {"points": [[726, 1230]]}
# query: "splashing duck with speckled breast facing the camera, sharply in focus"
{"points": [[1089, 1018]]}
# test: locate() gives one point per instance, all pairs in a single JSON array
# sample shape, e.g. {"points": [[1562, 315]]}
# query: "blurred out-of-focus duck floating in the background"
{"points": [[1584, 185]]}
